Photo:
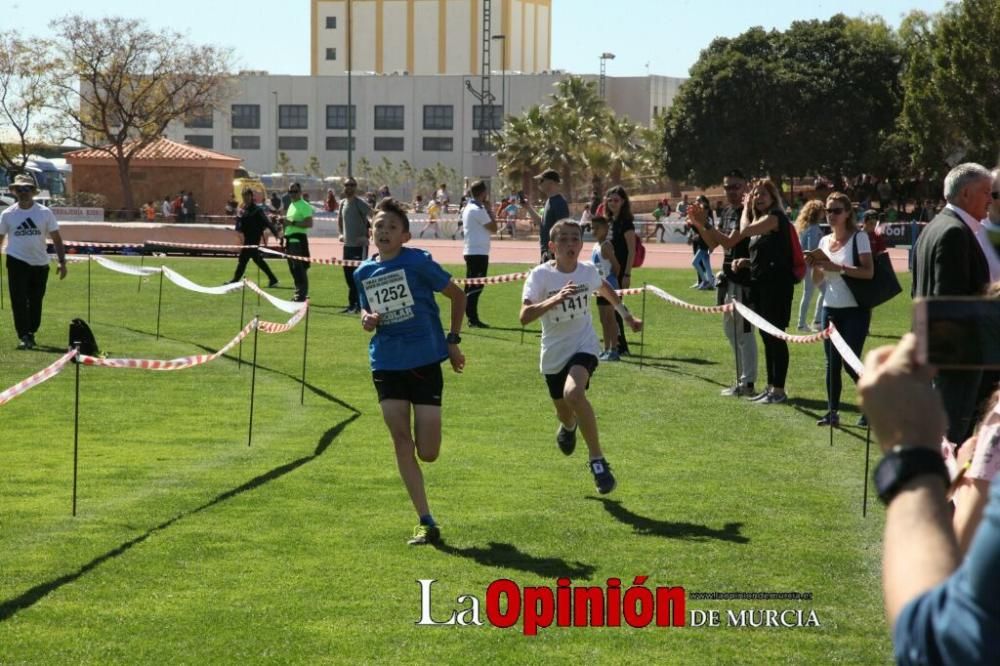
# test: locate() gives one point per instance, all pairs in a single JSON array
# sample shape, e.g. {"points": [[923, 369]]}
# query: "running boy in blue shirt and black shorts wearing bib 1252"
{"points": [[396, 289]]}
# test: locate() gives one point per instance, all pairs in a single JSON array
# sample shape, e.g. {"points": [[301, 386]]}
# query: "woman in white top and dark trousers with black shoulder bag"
{"points": [[830, 263]]}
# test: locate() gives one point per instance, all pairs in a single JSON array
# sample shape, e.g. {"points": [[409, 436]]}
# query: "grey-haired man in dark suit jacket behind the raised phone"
{"points": [[948, 261]]}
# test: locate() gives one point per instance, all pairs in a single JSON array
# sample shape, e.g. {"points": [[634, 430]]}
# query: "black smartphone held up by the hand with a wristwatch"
{"points": [[958, 333]]}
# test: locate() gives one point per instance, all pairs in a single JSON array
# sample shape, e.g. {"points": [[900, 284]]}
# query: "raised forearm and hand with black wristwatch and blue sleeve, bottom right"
{"points": [[941, 610]]}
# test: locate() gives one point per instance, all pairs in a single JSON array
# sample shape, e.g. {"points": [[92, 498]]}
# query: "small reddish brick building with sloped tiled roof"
{"points": [[163, 168]]}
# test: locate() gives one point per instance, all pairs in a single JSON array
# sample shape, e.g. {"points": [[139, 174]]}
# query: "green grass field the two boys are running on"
{"points": [[191, 547]]}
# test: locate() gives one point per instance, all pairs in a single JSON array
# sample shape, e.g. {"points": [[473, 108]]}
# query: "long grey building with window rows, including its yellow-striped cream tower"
{"points": [[405, 104]]}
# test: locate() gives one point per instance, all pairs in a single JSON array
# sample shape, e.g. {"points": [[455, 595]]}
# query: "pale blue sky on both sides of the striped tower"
{"points": [[664, 35]]}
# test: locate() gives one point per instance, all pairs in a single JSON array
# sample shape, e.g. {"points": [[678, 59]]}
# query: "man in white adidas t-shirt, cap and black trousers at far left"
{"points": [[27, 224]]}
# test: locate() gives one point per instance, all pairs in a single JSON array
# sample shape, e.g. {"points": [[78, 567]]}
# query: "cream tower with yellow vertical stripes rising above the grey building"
{"points": [[428, 37]]}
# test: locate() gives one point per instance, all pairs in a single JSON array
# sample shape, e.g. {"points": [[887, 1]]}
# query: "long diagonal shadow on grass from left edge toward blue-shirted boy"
{"points": [[29, 598]]}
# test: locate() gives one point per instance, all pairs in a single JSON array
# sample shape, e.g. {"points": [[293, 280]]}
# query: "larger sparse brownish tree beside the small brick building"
{"points": [[117, 84]]}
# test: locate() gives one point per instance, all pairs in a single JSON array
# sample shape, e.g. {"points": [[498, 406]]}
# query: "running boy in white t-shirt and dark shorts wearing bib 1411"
{"points": [[558, 292]]}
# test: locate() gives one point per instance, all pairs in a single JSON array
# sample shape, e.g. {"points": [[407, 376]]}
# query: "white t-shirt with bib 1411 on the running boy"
{"points": [[567, 329]]}
